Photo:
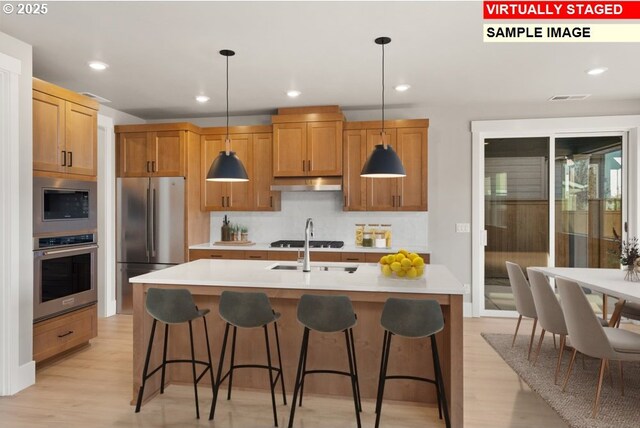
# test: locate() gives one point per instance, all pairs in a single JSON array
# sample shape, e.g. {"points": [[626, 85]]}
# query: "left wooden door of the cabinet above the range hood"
{"points": [[290, 149]]}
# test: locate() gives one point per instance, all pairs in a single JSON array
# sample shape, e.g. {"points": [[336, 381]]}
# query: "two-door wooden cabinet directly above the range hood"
{"points": [[307, 145]]}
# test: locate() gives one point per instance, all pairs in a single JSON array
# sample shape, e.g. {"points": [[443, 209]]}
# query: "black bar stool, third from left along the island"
{"points": [[326, 314]]}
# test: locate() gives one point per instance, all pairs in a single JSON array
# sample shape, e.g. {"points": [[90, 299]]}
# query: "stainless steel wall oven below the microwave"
{"points": [[65, 273]]}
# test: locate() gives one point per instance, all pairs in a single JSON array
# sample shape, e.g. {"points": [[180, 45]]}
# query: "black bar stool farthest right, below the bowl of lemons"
{"points": [[413, 319]]}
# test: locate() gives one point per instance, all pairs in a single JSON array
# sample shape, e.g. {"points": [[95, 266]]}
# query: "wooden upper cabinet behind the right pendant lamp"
{"points": [[409, 139]]}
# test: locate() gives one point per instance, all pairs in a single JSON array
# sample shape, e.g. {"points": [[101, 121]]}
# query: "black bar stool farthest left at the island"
{"points": [[174, 307]]}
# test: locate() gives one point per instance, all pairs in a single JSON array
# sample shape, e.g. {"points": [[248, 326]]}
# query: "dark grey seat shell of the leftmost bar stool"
{"points": [[171, 306]]}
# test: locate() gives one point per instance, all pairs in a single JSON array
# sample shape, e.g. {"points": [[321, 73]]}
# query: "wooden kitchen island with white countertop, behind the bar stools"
{"points": [[206, 279]]}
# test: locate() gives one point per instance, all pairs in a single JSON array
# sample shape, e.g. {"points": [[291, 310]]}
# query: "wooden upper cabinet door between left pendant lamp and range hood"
{"points": [[264, 199]]}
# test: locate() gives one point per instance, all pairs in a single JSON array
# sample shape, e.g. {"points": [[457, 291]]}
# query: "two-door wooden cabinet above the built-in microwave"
{"points": [[65, 132]]}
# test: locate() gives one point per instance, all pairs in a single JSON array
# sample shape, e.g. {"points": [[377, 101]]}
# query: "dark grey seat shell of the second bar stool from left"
{"points": [[246, 310]]}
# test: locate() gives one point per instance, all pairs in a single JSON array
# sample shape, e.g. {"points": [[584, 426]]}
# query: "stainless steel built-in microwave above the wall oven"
{"points": [[62, 205]]}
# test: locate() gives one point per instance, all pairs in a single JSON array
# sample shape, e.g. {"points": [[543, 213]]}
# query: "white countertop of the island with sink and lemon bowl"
{"points": [[437, 279]]}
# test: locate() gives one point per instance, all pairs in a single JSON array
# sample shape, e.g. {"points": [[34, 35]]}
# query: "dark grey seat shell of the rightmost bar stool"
{"points": [[412, 317]]}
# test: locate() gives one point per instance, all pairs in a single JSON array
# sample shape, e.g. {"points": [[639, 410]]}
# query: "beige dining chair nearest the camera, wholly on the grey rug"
{"points": [[589, 337]]}
